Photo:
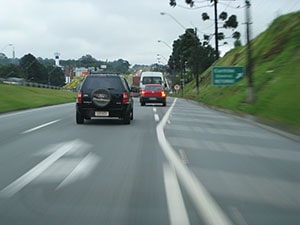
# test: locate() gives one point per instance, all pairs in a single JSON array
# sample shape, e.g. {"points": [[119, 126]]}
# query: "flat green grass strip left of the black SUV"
{"points": [[13, 97]]}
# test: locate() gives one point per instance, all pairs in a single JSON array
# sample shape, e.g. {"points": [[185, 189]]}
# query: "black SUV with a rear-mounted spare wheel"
{"points": [[104, 95]]}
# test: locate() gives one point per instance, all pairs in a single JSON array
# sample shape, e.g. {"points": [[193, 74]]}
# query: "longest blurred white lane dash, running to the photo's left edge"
{"points": [[24, 180]]}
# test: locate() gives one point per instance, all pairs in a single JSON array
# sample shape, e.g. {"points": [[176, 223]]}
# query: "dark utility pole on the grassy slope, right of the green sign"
{"points": [[251, 96]]}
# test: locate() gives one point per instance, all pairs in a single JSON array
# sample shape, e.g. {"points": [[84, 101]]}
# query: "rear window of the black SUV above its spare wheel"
{"points": [[104, 82]]}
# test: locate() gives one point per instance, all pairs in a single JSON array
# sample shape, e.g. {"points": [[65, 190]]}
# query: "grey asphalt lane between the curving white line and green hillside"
{"points": [[253, 174]]}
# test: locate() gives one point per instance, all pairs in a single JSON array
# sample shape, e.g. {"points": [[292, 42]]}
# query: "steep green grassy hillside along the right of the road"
{"points": [[276, 73]]}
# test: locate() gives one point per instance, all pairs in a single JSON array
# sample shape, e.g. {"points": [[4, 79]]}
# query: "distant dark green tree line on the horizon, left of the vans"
{"points": [[44, 71]]}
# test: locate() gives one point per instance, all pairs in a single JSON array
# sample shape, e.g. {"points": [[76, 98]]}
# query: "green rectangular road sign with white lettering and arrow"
{"points": [[227, 75]]}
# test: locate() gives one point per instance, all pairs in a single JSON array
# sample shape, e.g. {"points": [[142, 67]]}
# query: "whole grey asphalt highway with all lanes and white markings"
{"points": [[181, 164]]}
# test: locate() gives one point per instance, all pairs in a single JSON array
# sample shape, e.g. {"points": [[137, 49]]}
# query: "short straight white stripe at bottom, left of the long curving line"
{"points": [[176, 207]]}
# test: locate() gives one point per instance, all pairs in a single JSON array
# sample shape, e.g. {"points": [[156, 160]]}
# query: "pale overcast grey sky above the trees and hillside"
{"points": [[114, 29]]}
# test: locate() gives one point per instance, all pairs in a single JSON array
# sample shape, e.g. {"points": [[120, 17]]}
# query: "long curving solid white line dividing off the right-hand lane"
{"points": [[205, 205]]}
